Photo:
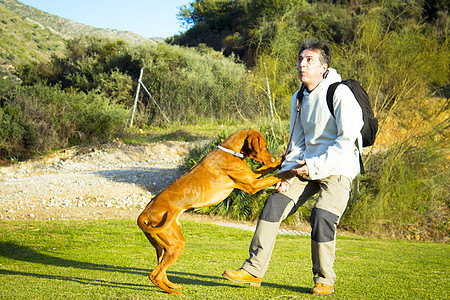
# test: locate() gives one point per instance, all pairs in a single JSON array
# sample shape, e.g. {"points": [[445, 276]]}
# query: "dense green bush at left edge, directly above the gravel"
{"points": [[38, 119]]}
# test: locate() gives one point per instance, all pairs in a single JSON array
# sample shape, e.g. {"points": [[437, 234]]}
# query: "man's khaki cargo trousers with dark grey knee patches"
{"points": [[334, 193]]}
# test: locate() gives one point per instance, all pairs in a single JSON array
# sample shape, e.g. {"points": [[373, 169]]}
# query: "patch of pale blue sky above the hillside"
{"points": [[149, 18]]}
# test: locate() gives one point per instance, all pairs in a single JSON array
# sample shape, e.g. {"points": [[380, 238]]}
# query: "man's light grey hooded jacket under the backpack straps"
{"points": [[327, 144]]}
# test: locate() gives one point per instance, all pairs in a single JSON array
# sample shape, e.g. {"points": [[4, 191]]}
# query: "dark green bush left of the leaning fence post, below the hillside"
{"points": [[89, 64]]}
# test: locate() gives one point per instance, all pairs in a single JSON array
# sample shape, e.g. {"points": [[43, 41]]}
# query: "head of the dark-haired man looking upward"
{"points": [[313, 60]]}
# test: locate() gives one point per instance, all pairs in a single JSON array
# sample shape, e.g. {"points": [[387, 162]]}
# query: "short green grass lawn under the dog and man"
{"points": [[111, 259]]}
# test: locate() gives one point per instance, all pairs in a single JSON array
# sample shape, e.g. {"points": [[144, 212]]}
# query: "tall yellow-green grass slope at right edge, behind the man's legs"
{"points": [[405, 192]]}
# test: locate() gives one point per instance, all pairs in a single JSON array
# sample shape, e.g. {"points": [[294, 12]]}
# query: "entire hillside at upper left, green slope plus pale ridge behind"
{"points": [[28, 34]]}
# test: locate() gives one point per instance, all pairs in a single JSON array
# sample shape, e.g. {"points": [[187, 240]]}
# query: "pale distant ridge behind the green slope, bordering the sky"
{"points": [[67, 28]]}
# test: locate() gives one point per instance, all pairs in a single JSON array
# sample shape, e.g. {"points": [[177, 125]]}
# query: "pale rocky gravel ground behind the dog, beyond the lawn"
{"points": [[113, 181]]}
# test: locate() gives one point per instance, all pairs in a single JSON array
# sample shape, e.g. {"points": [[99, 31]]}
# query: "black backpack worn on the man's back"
{"points": [[370, 127]]}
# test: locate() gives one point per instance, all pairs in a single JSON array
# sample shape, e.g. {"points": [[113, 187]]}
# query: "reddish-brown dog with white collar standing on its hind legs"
{"points": [[207, 183]]}
